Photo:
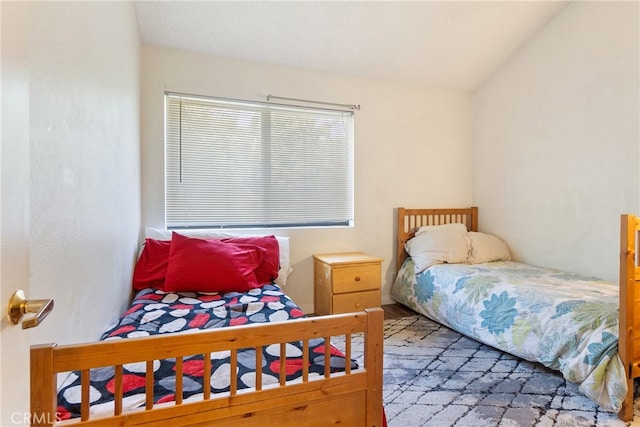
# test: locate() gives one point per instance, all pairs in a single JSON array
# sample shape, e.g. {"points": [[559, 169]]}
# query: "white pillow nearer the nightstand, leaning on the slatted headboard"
{"points": [[437, 245]]}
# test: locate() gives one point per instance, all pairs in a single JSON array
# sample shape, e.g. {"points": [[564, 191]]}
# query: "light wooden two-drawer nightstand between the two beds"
{"points": [[346, 282]]}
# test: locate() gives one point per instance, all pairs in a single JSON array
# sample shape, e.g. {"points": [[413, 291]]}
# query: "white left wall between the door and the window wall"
{"points": [[85, 164]]}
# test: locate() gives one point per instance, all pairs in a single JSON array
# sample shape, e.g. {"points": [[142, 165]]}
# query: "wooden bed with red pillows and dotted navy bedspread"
{"points": [[227, 356]]}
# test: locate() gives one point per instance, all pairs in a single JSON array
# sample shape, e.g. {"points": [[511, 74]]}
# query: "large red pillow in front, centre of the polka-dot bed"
{"points": [[197, 265]]}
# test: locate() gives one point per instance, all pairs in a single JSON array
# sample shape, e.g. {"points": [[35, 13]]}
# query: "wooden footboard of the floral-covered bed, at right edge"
{"points": [[629, 337]]}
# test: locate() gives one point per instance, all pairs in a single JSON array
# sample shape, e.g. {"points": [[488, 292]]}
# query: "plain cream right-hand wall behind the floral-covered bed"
{"points": [[556, 140]]}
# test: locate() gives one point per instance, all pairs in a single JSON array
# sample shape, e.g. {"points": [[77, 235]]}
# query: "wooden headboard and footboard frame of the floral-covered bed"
{"points": [[409, 220]]}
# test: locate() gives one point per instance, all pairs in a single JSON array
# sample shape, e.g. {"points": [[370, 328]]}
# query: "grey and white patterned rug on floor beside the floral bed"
{"points": [[436, 377]]}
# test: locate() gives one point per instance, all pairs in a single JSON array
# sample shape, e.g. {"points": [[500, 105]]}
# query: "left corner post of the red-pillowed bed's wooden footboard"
{"points": [[43, 386]]}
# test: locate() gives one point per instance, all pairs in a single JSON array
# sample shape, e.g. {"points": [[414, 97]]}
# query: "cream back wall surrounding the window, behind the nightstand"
{"points": [[412, 147]]}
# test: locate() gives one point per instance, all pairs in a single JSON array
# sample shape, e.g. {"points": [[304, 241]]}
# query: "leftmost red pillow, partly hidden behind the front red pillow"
{"points": [[151, 268]]}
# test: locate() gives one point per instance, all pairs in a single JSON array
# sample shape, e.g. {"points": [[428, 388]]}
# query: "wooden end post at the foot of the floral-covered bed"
{"points": [[628, 233]]}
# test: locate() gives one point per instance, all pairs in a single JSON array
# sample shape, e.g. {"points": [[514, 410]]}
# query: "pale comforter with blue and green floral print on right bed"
{"points": [[566, 322]]}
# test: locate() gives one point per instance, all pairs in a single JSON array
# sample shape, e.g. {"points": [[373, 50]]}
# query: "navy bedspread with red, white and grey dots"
{"points": [[155, 312]]}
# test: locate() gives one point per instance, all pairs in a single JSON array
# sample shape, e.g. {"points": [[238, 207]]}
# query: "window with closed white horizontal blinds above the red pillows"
{"points": [[267, 171]]}
